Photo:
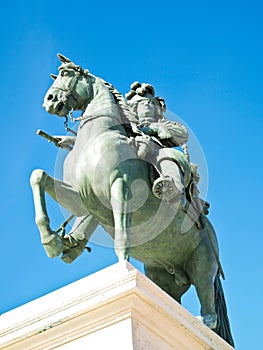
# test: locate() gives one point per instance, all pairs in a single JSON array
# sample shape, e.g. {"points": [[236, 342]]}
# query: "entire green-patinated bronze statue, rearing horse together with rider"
{"points": [[109, 172]]}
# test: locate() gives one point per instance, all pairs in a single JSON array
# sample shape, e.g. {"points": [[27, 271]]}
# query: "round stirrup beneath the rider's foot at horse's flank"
{"points": [[164, 188]]}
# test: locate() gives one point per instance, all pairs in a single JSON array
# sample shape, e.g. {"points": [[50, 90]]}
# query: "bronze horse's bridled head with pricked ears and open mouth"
{"points": [[69, 90]]}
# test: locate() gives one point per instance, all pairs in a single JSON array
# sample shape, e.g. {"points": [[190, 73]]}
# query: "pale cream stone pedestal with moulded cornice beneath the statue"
{"points": [[116, 308]]}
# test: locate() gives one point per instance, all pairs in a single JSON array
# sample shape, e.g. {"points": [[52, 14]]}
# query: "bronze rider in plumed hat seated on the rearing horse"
{"points": [[155, 130]]}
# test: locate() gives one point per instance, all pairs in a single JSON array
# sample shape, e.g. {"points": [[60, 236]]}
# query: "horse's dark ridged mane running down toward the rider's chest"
{"points": [[126, 112]]}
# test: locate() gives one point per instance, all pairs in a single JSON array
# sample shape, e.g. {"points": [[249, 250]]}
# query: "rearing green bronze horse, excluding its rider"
{"points": [[105, 181]]}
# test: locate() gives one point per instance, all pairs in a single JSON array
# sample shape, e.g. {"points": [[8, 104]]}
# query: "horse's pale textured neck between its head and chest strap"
{"points": [[102, 102]]}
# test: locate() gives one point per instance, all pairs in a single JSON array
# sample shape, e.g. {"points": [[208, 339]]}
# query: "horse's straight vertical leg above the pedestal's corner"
{"points": [[122, 217]]}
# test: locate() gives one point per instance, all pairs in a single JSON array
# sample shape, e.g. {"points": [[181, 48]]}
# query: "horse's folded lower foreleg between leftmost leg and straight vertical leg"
{"points": [[75, 242]]}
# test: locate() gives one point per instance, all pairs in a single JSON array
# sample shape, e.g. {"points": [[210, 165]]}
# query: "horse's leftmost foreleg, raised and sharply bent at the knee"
{"points": [[64, 194]]}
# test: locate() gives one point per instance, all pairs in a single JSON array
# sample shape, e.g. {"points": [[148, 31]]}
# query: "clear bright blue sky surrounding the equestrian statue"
{"points": [[205, 58]]}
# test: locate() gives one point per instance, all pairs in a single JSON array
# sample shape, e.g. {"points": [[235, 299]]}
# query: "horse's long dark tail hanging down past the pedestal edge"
{"points": [[223, 325]]}
